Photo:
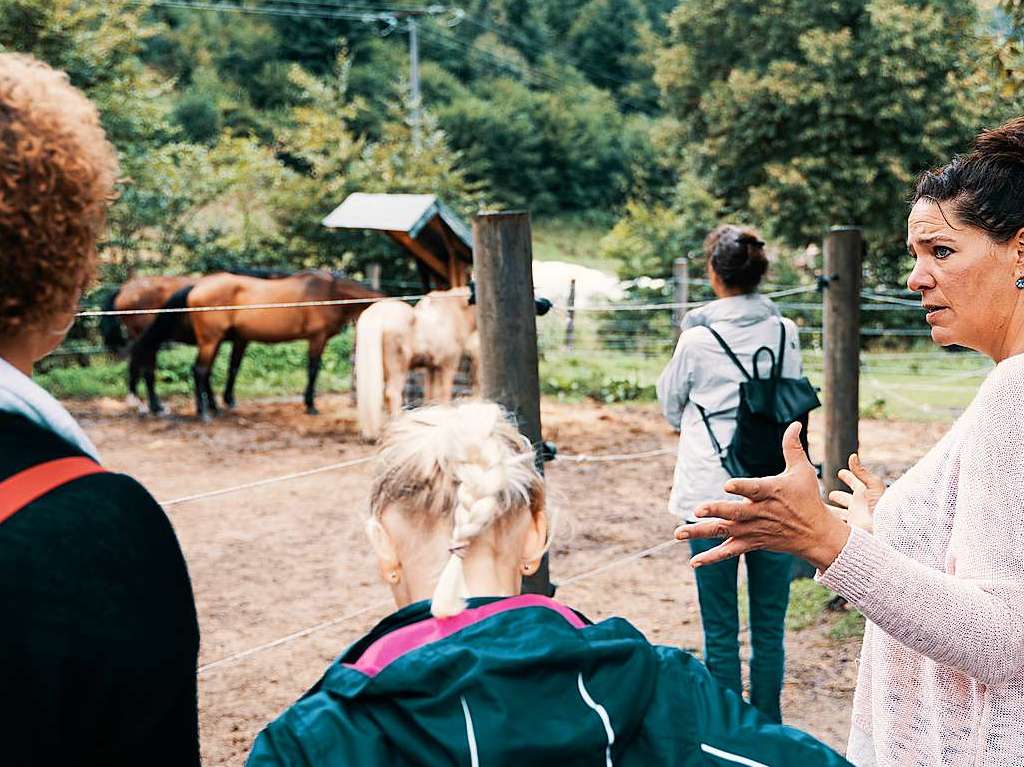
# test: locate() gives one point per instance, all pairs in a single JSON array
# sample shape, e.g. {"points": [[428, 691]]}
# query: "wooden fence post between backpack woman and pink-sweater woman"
{"points": [[844, 250]]}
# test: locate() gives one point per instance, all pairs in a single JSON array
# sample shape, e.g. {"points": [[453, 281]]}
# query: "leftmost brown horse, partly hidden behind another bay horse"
{"points": [[148, 292]]}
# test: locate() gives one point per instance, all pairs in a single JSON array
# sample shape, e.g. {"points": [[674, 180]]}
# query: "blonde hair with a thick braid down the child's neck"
{"points": [[463, 463]]}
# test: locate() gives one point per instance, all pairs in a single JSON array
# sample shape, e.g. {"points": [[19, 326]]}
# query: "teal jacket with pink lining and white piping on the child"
{"points": [[524, 681]]}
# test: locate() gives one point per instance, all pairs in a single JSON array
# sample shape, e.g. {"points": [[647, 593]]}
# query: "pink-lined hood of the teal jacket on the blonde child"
{"points": [[573, 688]]}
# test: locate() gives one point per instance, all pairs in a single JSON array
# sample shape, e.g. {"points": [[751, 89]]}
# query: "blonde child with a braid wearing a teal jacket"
{"points": [[472, 672]]}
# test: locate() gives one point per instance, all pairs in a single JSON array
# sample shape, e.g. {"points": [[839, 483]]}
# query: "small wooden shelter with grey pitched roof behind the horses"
{"points": [[441, 242]]}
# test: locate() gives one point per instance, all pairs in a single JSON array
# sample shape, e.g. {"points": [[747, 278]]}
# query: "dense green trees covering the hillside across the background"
{"points": [[239, 132]]}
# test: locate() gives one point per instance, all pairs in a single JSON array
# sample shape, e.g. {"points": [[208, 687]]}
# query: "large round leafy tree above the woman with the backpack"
{"points": [[802, 114]]}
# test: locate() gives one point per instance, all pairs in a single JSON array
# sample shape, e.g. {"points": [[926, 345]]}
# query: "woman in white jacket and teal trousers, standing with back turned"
{"points": [[700, 395]]}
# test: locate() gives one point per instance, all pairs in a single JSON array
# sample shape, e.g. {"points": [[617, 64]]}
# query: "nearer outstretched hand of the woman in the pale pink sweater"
{"points": [[782, 514]]}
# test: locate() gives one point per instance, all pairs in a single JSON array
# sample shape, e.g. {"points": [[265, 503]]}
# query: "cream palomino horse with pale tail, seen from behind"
{"points": [[392, 338]]}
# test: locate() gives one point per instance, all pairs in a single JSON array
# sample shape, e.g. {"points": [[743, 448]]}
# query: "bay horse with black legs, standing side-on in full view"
{"points": [[315, 324]]}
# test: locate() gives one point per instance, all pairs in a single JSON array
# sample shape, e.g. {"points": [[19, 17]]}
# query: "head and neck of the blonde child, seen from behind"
{"points": [[457, 492]]}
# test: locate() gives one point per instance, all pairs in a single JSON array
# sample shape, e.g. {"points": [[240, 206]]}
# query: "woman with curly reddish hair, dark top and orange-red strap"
{"points": [[98, 660]]}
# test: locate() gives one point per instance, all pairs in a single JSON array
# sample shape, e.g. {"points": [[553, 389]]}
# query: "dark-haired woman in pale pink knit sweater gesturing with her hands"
{"points": [[942, 578]]}
